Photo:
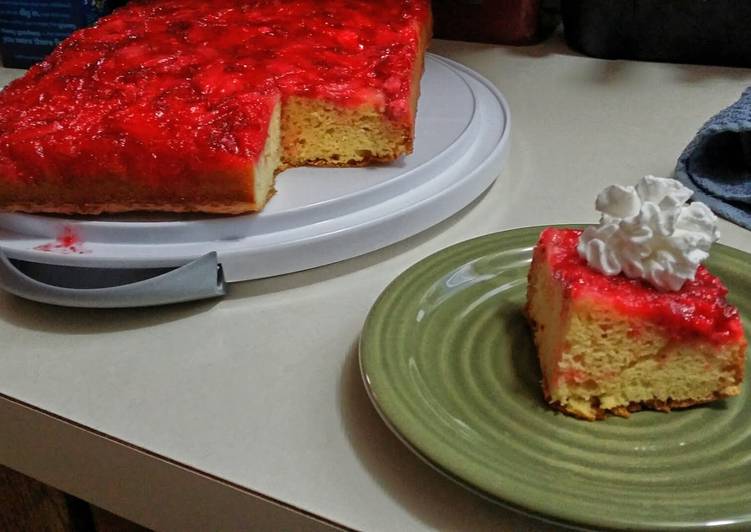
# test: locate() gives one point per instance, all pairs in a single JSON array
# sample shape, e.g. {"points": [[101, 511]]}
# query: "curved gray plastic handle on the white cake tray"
{"points": [[200, 279]]}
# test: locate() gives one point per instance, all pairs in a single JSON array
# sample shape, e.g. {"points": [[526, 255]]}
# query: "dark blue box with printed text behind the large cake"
{"points": [[30, 29]]}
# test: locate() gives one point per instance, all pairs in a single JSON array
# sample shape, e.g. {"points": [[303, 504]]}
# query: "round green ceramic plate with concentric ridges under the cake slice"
{"points": [[448, 361]]}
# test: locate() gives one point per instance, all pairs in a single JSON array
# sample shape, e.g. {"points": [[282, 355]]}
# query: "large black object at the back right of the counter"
{"points": [[679, 31]]}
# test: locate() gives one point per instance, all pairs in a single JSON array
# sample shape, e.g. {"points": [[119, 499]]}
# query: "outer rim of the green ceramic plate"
{"points": [[527, 507]]}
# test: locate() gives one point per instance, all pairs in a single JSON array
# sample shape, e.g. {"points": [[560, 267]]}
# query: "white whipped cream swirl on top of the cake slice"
{"points": [[649, 232]]}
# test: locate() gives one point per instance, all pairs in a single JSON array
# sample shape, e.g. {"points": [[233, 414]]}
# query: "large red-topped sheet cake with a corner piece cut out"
{"points": [[189, 105]]}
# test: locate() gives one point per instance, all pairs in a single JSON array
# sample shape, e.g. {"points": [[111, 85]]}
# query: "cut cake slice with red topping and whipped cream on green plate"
{"points": [[624, 316]]}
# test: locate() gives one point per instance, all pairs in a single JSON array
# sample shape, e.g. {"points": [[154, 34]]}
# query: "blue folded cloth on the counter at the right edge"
{"points": [[717, 163]]}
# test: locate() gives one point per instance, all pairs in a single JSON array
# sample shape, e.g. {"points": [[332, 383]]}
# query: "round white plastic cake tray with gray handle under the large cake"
{"points": [[318, 216]]}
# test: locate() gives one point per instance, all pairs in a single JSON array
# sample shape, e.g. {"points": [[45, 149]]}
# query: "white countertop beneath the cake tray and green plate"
{"points": [[262, 389]]}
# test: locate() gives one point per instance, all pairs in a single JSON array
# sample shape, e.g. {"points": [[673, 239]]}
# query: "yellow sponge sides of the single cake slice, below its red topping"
{"points": [[580, 340]]}
